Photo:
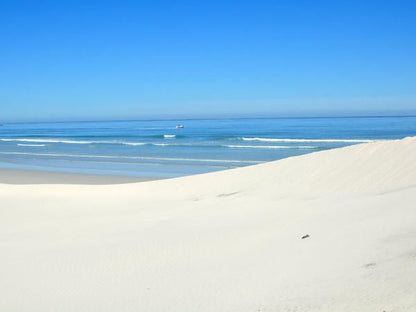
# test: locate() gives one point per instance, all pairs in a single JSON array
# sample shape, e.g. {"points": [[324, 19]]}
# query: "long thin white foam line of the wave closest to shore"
{"points": [[135, 157]]}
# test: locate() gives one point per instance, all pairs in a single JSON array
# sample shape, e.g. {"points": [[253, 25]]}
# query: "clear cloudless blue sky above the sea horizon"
{"points": [[89, 60]]}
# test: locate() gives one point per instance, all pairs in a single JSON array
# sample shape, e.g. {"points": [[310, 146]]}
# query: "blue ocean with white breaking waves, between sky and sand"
{"points": [[155, 148]]}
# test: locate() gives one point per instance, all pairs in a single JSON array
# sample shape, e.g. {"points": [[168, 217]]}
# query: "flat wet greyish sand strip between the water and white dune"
{"points": [[23, 176]]}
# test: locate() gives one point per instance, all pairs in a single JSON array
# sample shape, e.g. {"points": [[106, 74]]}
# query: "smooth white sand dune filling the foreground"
{"points": [[225, 241]]}
